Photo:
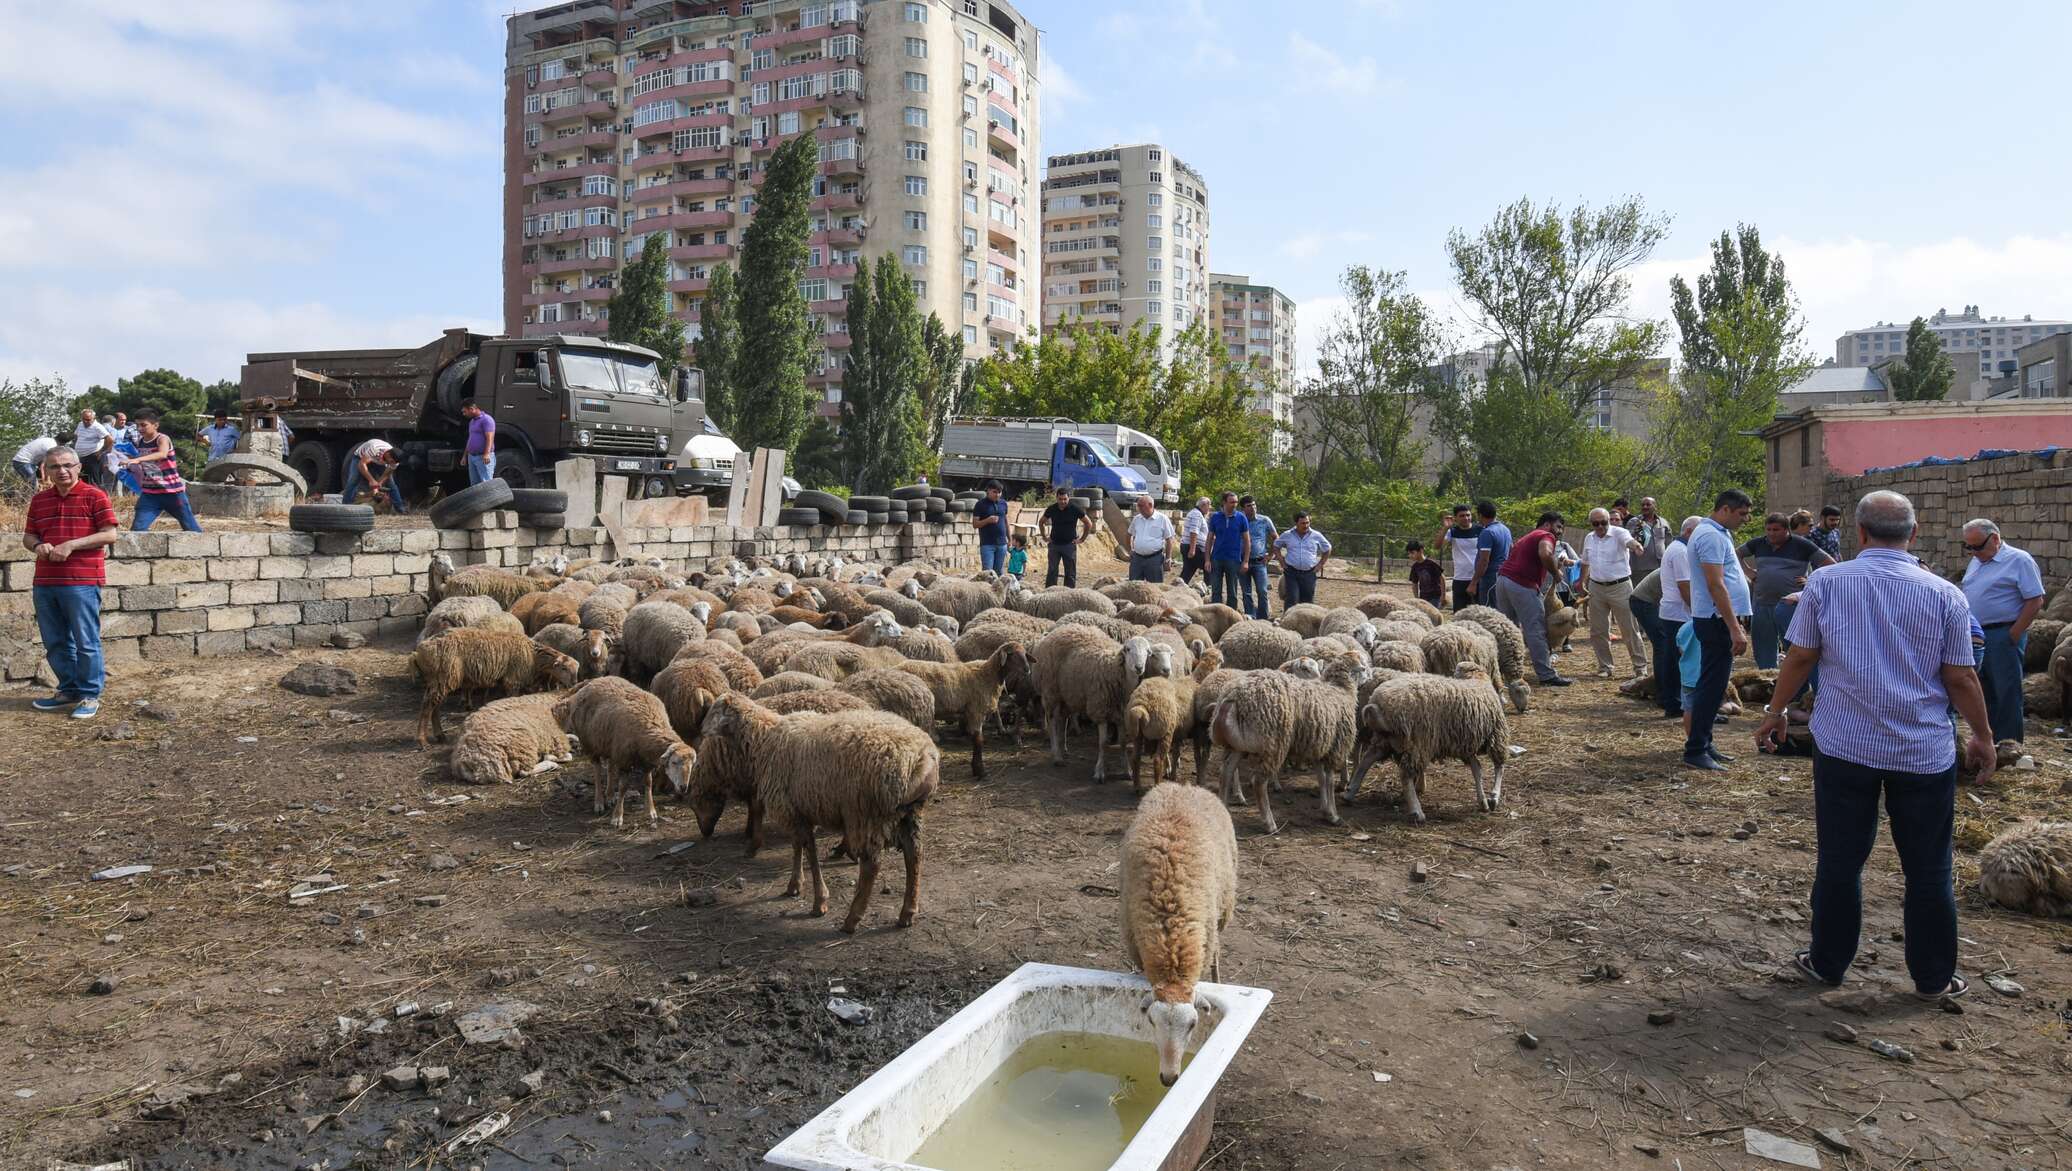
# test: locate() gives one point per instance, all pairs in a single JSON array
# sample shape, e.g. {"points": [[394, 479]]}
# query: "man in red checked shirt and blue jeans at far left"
{"points": [[69, 532]]}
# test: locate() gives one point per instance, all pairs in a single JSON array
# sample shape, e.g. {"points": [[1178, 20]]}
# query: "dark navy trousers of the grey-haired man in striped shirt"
{"points": [[1845, 822]]}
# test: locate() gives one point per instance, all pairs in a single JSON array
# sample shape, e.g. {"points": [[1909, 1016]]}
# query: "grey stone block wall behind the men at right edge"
{"points": [[2030, 496]]}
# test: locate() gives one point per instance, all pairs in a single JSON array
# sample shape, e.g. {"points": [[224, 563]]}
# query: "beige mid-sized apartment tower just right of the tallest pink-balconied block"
{"points": [[1124, 241]]}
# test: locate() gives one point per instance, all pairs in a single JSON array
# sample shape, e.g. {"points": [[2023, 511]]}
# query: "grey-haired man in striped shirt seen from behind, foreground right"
{"points": [[1895, 652]]}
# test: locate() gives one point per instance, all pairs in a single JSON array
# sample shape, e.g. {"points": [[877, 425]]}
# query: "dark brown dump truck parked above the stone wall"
{"points": [[552, 399]]}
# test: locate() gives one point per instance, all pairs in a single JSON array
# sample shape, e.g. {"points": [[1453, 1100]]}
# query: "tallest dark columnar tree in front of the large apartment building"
{"points": [[772, 401]]}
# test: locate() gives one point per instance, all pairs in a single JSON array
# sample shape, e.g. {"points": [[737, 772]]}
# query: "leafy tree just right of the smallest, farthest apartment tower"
{"points": [[1375, 378]]}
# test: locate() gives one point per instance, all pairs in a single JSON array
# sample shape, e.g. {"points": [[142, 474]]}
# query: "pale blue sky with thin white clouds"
{"points": [[190, 183]]}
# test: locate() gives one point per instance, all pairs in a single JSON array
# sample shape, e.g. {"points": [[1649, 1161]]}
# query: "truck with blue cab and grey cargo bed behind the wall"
{"points": [[1058, 453]]}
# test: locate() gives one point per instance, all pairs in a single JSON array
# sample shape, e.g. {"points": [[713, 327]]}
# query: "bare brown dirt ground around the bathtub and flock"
{"points": [[685, 996]]}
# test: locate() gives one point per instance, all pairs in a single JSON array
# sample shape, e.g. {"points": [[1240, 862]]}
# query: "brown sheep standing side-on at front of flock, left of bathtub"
{"points": [[865, 774]]}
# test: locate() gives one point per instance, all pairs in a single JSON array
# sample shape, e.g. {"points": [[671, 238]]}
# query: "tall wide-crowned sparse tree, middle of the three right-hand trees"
{"points": [[1553, 289]]}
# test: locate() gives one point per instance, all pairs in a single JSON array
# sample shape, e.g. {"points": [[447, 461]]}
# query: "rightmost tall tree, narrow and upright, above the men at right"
{"points": [[1742, 349]]}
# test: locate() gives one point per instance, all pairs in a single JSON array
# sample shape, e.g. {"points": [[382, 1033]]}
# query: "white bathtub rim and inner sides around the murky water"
{"points": [[882, 1122]]}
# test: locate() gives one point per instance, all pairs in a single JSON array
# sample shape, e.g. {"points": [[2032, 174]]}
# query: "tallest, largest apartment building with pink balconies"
{"points": [[637, 117]]}
